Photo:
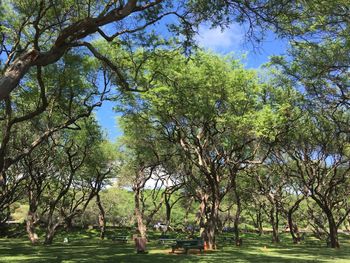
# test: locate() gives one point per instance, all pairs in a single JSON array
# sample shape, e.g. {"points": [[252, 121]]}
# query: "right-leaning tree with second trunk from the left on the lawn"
{"points": [[74, 177]]}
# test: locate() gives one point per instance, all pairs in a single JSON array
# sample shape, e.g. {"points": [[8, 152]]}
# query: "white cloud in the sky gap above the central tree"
{"points": [[223, 41]]}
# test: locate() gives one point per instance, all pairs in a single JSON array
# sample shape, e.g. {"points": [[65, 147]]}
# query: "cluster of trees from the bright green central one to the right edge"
{"points": [[225, 132]]}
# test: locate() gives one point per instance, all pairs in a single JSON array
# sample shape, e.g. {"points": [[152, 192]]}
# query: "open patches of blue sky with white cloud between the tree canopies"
{"points": [[230, 40]]}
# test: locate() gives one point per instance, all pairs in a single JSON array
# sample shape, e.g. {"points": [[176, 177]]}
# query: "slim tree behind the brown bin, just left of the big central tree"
{"points": [[140, 160]]}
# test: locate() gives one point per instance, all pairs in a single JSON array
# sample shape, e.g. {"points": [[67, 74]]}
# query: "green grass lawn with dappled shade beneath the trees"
{"points": [[83, 247]]}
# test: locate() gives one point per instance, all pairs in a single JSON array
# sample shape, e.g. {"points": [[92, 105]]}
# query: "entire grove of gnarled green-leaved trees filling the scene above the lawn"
{"points": [[198, 124]]}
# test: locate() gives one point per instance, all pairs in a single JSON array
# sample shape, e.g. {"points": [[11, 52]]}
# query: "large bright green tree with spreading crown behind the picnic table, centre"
{"points": [[211, 110]]}
